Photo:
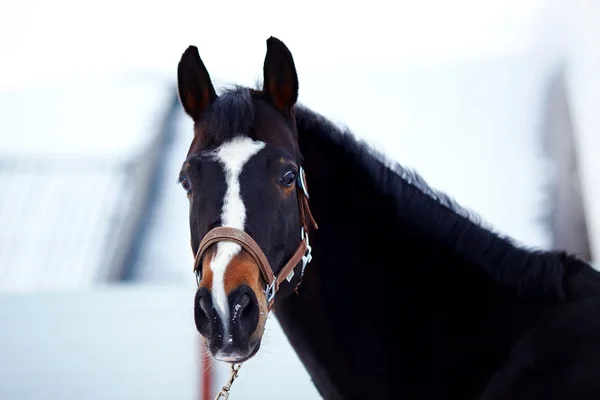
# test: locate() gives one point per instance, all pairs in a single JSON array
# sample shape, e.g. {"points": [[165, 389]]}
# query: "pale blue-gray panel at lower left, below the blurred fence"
{"points": [[126, 342]]}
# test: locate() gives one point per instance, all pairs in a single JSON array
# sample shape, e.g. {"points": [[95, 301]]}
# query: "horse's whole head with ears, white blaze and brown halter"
{"points": [[249, 215]]}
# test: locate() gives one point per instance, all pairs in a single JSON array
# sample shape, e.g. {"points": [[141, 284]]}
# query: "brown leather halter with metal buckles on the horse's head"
{"points": [[302, 254]]}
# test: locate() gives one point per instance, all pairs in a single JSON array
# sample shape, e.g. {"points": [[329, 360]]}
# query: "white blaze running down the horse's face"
{"points": [[232, 156]]}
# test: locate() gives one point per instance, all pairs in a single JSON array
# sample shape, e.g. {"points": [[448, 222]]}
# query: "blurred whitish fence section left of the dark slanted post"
{"points": [[60, 220]]}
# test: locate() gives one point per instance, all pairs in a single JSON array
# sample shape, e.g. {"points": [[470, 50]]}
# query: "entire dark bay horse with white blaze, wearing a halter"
{"points": [[385, 287]]}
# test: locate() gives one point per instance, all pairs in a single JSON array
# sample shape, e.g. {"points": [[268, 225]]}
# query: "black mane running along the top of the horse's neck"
{"points": [[530, 273]]}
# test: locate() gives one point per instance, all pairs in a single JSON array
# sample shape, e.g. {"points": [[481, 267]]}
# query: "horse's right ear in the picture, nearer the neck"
{"points": [[280, 82]]}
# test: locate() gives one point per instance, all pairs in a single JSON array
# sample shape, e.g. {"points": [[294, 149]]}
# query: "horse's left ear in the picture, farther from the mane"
{"points": [[195, 89]]}
